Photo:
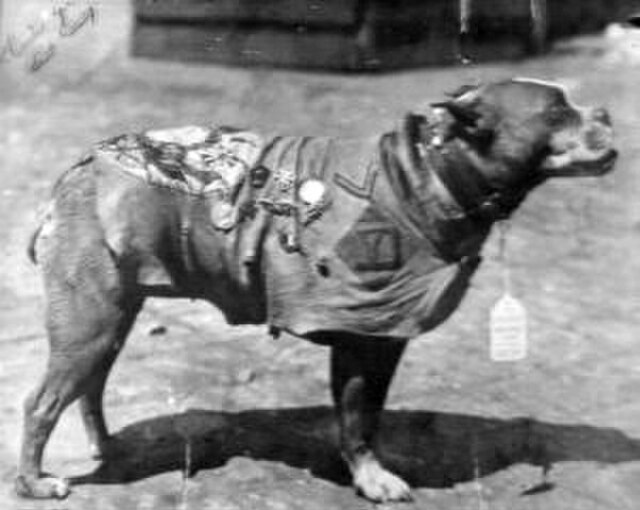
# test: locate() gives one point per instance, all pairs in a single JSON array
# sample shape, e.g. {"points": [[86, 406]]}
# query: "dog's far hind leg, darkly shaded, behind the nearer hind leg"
{"points": [[101, 444]]}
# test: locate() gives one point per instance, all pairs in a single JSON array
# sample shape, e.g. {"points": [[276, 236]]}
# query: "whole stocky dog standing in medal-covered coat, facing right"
{"points": [[359, 244]]}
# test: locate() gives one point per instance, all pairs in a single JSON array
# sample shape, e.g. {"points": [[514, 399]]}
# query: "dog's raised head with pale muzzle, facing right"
{"points": [[532, 127]]}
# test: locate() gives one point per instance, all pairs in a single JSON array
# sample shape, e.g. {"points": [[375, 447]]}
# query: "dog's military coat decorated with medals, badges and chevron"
{"points": [[318, 234]]}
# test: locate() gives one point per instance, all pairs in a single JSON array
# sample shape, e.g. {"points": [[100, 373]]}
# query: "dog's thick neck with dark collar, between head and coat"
{"points": [[446, 186]]}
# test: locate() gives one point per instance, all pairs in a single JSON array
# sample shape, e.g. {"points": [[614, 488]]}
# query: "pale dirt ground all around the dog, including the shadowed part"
{"points": [[560, 430]]}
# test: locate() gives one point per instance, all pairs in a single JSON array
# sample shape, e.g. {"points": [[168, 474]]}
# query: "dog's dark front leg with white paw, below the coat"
{"points": [[361, 371]]}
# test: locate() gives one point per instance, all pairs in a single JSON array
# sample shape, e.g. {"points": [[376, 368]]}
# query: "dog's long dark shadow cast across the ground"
{"points": [[427, 449]]}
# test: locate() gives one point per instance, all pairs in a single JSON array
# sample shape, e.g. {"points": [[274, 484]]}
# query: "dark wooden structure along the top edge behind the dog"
{"points": [[350, 34]]}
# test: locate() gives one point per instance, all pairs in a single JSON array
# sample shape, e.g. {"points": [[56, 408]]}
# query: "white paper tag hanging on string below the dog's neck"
{"points": [[508, 330]]}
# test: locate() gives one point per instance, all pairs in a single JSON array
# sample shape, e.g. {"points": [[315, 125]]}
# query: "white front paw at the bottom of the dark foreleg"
{"points": [[377, 484]]}
